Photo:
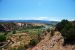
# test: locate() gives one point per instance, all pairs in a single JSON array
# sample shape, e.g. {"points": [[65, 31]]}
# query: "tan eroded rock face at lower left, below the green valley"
{"points": [[17, 40]]}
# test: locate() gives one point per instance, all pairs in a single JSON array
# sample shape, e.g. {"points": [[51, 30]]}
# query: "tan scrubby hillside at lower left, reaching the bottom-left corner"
{"points": [[16, 41]]}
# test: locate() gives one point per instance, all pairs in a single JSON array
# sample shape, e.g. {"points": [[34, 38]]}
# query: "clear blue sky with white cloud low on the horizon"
{"points": [[52, 10]]}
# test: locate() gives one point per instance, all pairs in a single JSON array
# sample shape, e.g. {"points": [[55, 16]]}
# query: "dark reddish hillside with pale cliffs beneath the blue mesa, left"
{"points": [[9, 26]]}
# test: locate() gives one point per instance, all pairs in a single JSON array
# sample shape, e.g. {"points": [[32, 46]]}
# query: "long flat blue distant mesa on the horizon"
{"points": [[32, 21]]}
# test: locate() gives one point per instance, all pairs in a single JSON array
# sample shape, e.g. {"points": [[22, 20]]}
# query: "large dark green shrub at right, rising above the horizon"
{"points": [[67, 29]]}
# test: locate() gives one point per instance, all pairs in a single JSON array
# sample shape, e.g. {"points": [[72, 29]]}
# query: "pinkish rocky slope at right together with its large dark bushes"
{"points": [[63, 38]]}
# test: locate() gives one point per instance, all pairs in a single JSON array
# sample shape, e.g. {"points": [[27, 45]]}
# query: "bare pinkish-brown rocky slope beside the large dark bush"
{"points": [[54, 43]]}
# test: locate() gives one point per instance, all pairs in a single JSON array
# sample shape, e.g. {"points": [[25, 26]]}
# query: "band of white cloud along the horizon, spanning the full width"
{"points": [[37, 18]]}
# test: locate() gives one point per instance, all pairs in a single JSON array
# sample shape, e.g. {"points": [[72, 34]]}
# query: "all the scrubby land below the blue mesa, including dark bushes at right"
{"points": [[36, 36]]}
